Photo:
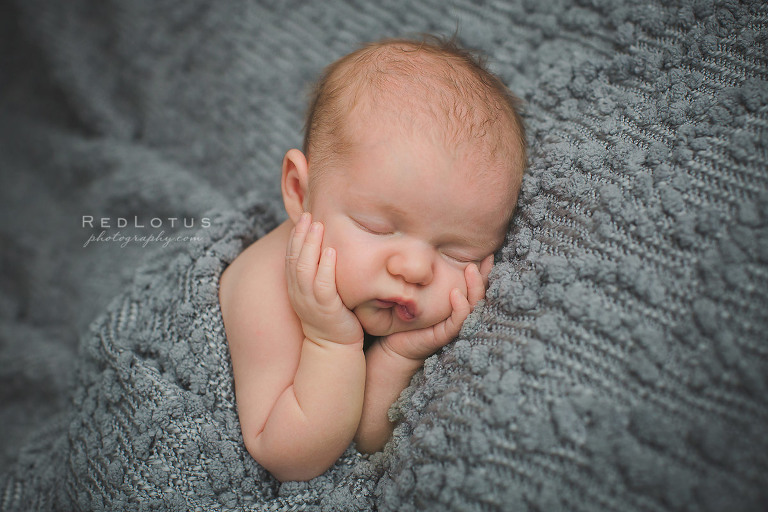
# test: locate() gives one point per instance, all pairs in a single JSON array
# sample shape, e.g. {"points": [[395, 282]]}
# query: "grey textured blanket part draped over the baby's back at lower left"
{"points": [[154, 422]]}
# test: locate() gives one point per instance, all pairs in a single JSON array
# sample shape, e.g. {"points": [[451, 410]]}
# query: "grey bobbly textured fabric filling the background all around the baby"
{"points": [[620, 360]]}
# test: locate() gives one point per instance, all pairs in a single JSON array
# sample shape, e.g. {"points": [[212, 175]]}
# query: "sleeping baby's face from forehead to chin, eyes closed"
{"points": [[406, 218]]}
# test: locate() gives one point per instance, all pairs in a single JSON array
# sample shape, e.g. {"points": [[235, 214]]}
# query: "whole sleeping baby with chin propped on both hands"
{"points": [[411, 165]]}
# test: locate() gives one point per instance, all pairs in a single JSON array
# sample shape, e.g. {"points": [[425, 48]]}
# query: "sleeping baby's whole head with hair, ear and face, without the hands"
{"points": [[413, 158]]}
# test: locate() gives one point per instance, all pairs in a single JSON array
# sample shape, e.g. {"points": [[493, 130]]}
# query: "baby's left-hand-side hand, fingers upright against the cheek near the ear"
{"points": [[311, 279]]}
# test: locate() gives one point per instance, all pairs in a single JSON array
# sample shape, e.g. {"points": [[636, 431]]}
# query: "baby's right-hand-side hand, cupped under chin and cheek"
{"points": [[421, 343]]}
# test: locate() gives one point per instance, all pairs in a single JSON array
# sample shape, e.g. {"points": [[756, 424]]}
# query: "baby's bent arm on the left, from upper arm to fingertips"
{"points": [[300, 399]]}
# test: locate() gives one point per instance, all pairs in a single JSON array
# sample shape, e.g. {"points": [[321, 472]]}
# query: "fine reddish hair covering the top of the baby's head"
{"points": [[430, 87]]}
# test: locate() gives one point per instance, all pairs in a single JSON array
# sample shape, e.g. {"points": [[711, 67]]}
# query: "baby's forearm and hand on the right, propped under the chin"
{"points": [[392, 361]]}
